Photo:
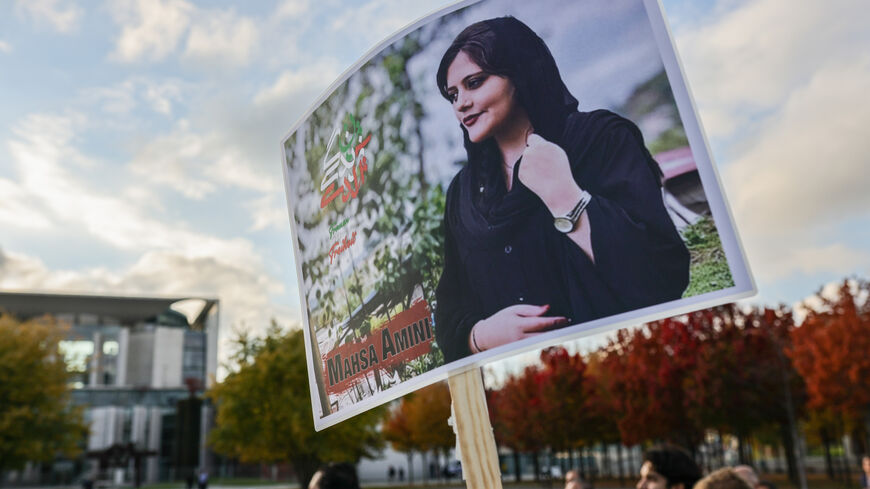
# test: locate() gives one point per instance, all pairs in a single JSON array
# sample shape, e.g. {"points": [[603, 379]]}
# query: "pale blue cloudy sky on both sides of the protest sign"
{"points": [[140, 139]]}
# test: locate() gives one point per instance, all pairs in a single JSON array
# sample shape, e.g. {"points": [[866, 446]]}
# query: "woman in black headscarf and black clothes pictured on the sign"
{"points": [[558, 216]]}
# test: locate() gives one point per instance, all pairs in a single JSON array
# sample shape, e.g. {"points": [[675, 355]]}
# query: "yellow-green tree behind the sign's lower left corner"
{"points": [[264, 411]]}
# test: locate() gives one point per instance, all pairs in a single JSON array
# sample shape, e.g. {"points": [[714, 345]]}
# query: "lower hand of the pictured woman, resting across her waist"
{"points": [[511, 324]]}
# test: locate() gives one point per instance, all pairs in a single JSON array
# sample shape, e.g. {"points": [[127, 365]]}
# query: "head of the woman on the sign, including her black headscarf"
{"points": [[499, 69]]}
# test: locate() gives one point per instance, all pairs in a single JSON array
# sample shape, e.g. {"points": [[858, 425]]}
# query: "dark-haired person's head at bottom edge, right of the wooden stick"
{"points": [[668, 467]]}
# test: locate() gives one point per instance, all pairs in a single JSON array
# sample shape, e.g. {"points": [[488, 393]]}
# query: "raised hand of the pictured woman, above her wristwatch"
{"points": [[546, 171]]}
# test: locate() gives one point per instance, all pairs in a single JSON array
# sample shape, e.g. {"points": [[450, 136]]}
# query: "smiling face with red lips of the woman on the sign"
{"points": [[485, 104]]}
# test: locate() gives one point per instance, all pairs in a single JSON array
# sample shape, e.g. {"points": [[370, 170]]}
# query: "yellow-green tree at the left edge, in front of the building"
{"points": [[37, 420]]}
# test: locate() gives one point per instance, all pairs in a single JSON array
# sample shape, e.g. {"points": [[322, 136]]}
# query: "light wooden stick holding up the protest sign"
{"points": [[474, 431]]}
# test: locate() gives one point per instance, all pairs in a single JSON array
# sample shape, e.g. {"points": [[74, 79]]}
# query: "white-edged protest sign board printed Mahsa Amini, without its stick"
{"points": [[424, 245]]}
